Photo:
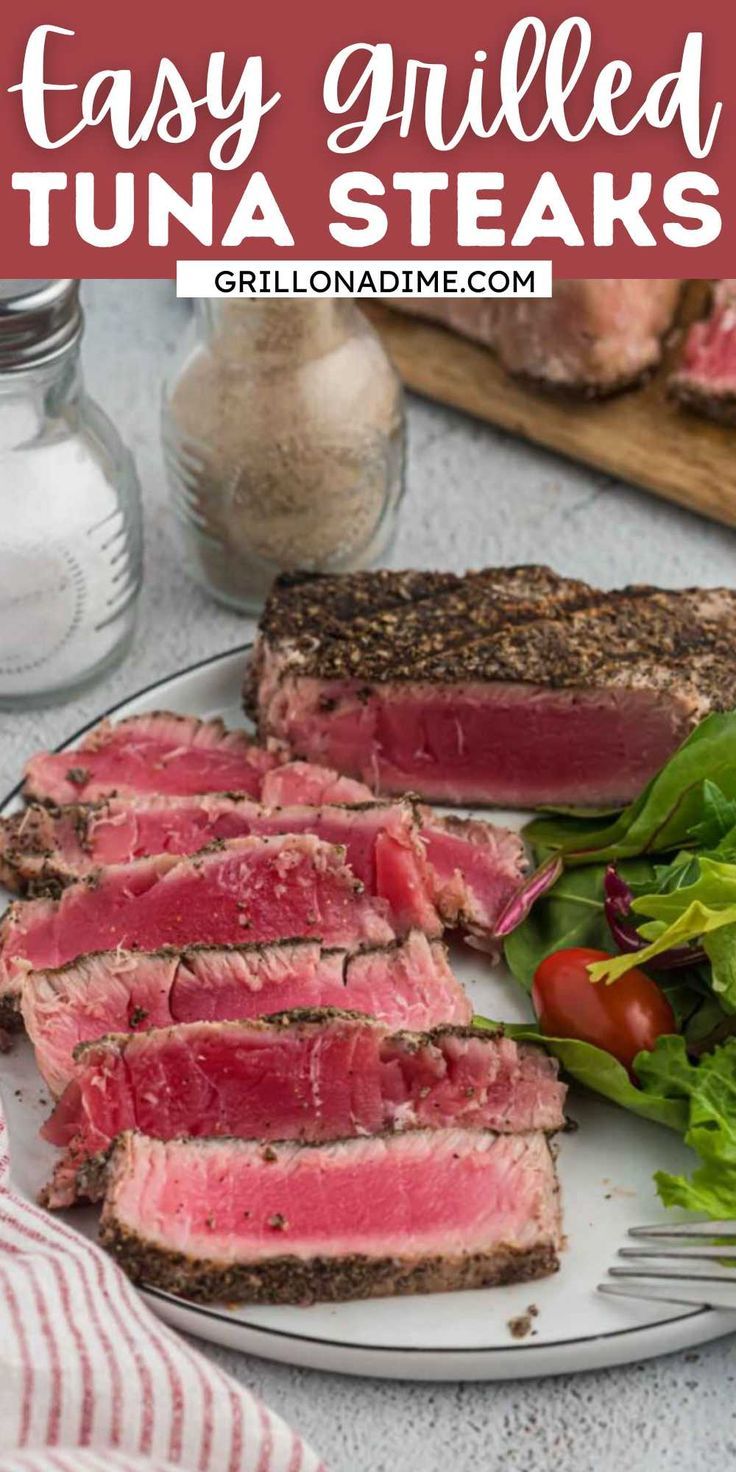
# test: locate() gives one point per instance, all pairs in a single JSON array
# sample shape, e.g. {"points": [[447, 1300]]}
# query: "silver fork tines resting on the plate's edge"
{"points": [[679, 1264]]}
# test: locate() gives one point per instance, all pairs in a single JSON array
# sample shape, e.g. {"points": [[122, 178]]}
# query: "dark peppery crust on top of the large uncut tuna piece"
{"points": [[522, 625]]}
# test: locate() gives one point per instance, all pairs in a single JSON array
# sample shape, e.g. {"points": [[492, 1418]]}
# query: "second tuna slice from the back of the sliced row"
{"points": [[431, 871]]}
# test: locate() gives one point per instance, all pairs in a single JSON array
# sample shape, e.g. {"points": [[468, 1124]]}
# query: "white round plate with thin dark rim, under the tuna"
{"points": [[607, 1186]]}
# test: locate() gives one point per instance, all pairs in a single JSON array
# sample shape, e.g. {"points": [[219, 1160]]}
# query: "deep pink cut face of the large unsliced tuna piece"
{"points": [[509, 746]]}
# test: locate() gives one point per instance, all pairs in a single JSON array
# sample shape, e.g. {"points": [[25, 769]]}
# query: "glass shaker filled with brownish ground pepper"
{"points": [[285, 444]]}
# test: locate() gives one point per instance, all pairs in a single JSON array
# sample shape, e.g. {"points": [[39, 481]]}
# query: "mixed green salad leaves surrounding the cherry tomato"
{"points": [[675, 847]]}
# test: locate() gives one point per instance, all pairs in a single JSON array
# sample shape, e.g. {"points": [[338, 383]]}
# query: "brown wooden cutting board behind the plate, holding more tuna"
{"points": [[638, 436]]}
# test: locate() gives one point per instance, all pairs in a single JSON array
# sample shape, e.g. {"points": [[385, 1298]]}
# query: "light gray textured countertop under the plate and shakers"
{"points": [[475, 497]]}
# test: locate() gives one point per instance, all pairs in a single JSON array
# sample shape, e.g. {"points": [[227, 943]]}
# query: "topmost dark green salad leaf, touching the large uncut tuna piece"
{"points": [[678, 802]]}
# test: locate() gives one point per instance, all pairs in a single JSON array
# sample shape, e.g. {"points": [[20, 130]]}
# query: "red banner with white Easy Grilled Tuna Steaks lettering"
{"points": [[594, 139]]}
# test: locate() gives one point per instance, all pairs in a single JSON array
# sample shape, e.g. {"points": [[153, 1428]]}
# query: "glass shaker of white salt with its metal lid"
{"points": [[70, 501]]}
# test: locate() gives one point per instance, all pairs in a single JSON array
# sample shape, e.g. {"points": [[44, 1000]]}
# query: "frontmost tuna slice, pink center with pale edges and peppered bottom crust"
{"points": [[423, 1212]]}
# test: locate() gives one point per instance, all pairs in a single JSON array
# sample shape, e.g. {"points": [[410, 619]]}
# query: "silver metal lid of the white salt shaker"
{"points": [[39, 322]]}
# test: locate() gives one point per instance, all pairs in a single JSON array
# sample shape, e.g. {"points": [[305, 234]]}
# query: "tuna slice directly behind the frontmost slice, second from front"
{"points": [[310, 1075]]}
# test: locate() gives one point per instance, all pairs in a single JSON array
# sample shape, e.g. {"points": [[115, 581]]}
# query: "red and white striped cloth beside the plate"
{"points": [[86, 1365]]}
